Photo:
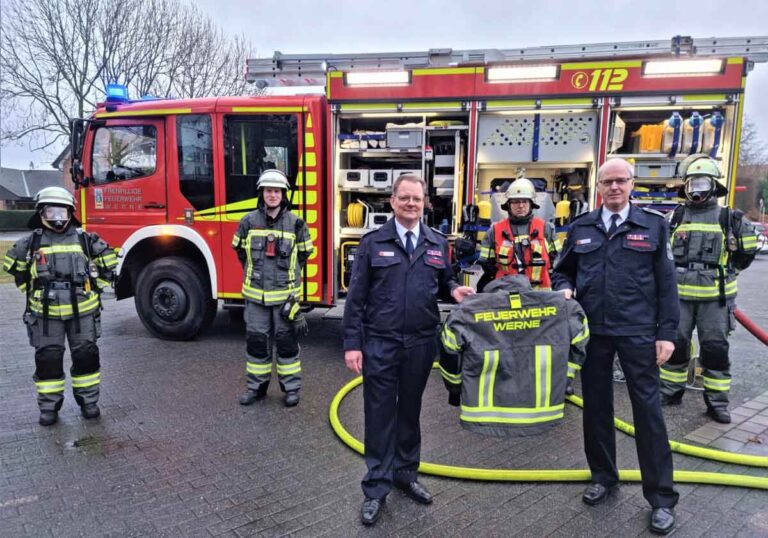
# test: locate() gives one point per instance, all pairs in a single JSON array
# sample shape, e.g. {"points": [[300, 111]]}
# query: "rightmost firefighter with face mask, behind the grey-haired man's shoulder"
{"points": [[710, 245]]}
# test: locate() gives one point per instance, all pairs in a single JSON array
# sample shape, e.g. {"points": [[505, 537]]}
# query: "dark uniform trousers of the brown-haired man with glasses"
{"points": [[394, 378]]}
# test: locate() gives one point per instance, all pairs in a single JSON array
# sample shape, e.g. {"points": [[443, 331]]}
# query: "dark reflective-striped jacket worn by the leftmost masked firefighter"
{"points": [[61, 273]]}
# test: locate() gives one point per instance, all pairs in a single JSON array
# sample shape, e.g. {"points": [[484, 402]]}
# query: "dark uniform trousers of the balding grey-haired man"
{"points": [[637, 355]]}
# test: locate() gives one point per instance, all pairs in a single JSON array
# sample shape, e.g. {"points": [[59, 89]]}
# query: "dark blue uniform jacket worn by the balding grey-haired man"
{"points": [[626, 284]]}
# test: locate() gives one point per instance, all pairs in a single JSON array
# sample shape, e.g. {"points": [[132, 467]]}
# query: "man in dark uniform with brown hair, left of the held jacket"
{"points": [[390, 327]]}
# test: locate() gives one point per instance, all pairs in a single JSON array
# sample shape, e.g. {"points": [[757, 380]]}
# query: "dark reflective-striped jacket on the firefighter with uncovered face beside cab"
{"points": [[274, 252]]}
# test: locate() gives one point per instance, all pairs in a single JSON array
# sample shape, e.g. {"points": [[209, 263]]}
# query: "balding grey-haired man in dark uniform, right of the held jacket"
{"points": [[617, 261]]}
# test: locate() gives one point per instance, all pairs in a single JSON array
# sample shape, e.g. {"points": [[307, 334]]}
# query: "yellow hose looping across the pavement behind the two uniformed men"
{"points": [[571, 475]]}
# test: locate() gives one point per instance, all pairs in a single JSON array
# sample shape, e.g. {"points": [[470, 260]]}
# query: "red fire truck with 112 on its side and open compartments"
{"points": [[167, 181]]}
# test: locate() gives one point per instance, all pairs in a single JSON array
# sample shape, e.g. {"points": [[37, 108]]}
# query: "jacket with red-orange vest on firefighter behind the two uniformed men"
{"points": [[528, 249]]}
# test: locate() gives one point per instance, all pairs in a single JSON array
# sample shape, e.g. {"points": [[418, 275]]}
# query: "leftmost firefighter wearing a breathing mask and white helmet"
{"points": [[62, 270]]}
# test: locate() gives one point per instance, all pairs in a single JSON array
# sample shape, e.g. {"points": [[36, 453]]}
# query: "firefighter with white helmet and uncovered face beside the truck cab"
{"points": [[273, 245]]}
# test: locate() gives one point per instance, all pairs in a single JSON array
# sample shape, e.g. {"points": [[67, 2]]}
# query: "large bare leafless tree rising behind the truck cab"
{"points": [[57, 57]]}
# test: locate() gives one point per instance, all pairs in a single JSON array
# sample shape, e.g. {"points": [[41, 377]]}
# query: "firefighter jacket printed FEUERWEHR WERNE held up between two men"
{"points": [[509, 352]]}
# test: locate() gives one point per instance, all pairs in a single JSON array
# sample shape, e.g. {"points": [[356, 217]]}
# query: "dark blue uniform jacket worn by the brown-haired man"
{"points": [[393, 297]]}
